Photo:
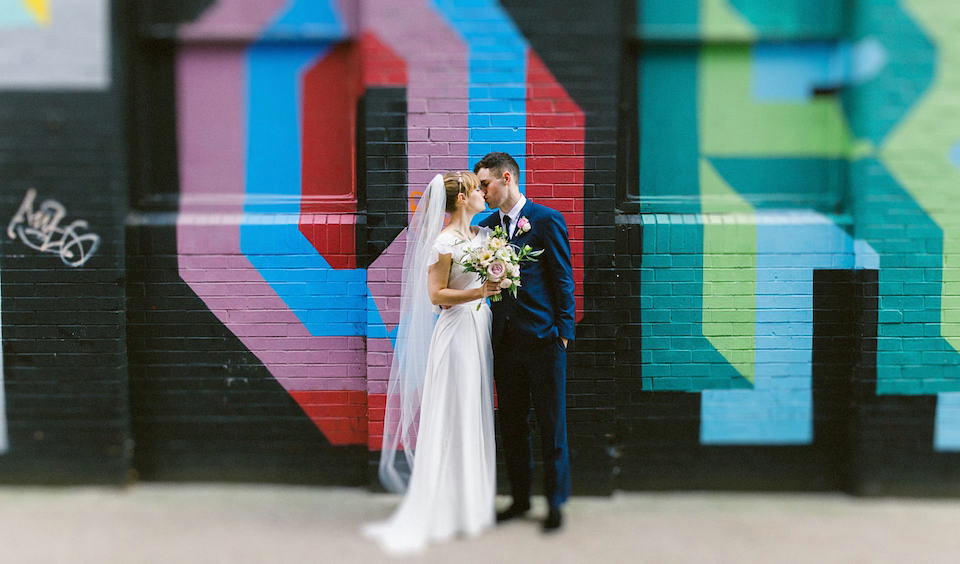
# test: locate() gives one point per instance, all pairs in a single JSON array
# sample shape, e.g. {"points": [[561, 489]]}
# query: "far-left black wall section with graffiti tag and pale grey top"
{"points": [[63, 408]]}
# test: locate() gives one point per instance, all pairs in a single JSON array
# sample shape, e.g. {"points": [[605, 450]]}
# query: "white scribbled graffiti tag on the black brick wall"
{"points": [[41, 230]]}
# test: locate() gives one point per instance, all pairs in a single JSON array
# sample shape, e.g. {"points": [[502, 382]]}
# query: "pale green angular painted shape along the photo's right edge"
{"points": [[917, 152]]}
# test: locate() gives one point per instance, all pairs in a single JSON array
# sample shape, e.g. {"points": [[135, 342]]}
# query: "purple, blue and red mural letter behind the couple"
{"points": [[267, 232]]}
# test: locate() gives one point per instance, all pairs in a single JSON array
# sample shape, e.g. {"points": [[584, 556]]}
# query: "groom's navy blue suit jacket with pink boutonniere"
{"points": [[544, 306]]}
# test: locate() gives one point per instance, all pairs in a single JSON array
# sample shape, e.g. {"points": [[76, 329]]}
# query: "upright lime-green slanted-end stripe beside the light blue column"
{"points": [[729, 285]]}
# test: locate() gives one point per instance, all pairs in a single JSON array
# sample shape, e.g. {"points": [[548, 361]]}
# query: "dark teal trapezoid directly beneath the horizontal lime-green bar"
{"points": [[781, 182]]}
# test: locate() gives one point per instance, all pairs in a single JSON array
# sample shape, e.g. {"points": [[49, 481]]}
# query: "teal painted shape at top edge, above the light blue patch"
{"points": [[794, 18]]}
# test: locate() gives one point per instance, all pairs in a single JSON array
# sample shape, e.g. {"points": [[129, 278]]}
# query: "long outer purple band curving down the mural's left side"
{"points": [[211, 124]]}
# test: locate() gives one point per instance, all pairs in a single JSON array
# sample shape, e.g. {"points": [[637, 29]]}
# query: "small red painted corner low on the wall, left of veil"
{"points": [[340, 415]]}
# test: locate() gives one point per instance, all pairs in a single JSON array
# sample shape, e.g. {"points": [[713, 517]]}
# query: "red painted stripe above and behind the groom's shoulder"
{"points": [[555, 162]]}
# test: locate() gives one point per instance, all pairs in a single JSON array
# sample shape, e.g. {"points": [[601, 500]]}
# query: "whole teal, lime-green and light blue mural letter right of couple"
{"points": [[775, 167]]}
